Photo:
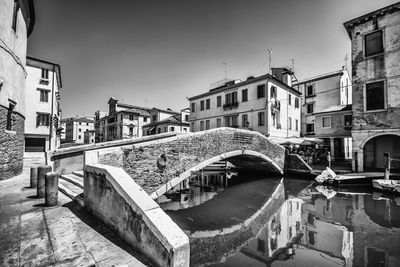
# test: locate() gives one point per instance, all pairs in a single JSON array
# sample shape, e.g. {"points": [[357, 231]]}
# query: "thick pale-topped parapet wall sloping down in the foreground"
{"points": [[112, 196]]}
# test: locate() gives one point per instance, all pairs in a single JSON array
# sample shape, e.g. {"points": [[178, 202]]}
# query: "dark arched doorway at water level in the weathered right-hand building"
{"points": [[374, 149]]}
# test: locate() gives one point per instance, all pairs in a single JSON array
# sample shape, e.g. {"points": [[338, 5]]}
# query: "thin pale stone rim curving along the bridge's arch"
{"points": [[185, 175]]}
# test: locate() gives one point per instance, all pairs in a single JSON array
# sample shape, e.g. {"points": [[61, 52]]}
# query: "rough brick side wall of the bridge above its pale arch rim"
{"points": [[150, 169]]}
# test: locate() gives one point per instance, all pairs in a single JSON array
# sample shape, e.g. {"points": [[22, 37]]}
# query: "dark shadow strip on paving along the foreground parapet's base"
{"points": [[94, 223]]}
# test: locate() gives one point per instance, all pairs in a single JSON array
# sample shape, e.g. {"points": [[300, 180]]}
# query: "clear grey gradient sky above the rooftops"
{"points": [[157, 53]]}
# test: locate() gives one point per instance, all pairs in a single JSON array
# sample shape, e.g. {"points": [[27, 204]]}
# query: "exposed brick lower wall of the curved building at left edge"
{"points": [[11, 145]]}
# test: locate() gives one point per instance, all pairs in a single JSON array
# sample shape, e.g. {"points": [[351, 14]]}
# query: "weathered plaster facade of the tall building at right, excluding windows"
{"points": [[381, 67]]}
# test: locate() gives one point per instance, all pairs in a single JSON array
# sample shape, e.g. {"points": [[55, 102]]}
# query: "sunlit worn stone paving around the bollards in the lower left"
{"points": [[34, 235]]}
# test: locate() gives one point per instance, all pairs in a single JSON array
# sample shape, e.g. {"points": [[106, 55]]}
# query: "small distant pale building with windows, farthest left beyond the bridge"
{"points": [[75, 129]]}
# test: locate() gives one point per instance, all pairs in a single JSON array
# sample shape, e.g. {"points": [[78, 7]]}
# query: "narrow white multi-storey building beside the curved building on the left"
{"points": [[42, 105]]}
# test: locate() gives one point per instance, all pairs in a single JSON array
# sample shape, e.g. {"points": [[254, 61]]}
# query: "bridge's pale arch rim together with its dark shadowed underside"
{"points": [[246, 159]]}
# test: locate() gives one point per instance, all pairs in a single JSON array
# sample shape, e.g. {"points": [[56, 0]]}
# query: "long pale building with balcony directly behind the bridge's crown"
{"points": [[266, 104]]}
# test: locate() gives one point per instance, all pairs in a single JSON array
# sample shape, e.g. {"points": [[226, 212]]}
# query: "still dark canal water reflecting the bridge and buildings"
{"points": [[274, 221]]}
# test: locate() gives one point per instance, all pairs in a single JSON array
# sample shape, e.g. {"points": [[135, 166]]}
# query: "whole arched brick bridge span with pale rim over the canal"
{"points": [[158, 165]]}
